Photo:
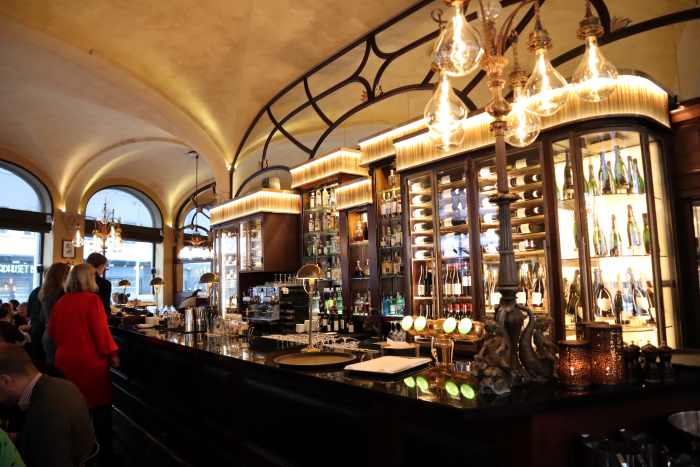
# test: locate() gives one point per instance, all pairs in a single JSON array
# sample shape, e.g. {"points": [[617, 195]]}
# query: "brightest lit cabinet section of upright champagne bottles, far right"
{"points": [[612, 203]]}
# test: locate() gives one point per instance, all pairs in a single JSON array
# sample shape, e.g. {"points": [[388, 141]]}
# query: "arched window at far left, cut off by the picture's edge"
{"points": [[21, 234]]}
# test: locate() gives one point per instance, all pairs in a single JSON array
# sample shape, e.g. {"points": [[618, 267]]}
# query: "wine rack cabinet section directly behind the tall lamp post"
{"points": [[528, 217]]}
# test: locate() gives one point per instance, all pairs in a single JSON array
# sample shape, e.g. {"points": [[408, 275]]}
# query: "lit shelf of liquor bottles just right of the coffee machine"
{"points": [[321, 239]]}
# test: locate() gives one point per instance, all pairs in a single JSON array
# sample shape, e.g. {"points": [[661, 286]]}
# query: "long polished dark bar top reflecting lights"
{"points": [[427, 386]]}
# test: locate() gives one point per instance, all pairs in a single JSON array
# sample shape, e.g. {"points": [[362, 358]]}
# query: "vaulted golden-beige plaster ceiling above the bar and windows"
{"points": [[116, 90]]}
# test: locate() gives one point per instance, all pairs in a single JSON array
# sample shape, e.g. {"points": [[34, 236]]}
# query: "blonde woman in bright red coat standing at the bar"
{"points": [[85, 348]]}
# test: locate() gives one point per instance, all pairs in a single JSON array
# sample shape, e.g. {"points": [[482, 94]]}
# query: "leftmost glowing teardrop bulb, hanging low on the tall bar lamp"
{"points": [[445, 113]]}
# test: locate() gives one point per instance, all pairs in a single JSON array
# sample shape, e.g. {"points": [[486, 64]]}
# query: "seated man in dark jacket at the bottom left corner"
{"points": [[57, 431]]}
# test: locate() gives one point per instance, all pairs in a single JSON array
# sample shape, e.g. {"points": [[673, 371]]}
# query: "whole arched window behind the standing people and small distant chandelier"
{"points": [[135, 259]]}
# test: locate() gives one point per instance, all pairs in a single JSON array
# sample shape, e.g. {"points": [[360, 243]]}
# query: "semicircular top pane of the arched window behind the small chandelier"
{"points": [[130, 207]]}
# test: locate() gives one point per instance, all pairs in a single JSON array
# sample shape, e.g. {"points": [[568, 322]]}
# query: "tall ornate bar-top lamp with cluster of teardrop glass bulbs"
{"points": [[459, 50]]}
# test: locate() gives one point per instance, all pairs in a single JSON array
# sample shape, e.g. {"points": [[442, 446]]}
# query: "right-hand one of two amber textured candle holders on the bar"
{"points": [[607, 354]]}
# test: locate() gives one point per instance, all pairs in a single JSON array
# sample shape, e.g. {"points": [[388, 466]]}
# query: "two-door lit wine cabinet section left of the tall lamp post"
{"points": [[440, 266]]}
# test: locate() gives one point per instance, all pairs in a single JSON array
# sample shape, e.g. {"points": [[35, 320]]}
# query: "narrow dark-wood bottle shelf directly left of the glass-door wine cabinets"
{"points": [[390, 235]]}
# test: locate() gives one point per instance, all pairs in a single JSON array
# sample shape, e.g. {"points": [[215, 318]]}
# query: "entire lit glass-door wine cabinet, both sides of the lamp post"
{"points": [[591, 230]]}
